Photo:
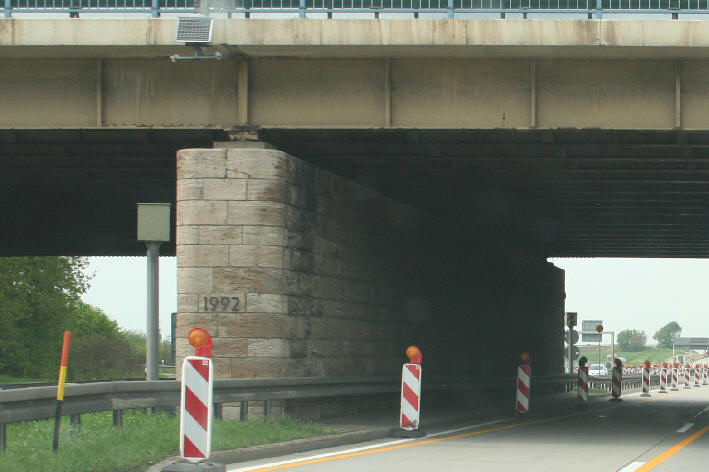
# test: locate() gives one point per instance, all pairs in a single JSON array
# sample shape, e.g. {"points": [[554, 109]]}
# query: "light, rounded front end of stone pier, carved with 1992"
{"points": [[231, 240]]}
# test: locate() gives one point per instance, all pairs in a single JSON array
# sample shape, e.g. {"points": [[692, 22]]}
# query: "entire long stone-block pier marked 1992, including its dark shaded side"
{"points": [[298, 272]]}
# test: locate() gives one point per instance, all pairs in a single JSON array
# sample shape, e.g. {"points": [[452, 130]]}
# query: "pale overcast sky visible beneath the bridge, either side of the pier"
{"points": [[640, 294]]}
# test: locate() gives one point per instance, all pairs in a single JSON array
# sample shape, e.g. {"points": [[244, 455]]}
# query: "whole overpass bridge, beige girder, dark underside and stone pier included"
{"points": [[359, 185]]}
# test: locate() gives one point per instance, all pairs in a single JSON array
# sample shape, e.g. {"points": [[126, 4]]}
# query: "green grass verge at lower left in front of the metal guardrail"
{"points": [[144, 439]]}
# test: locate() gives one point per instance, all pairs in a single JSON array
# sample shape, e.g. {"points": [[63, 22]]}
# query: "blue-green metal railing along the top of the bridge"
{"points": [[373, 8]]}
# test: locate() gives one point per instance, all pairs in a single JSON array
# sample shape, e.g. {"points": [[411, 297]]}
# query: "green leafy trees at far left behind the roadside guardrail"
{"points": [[39, 300]]}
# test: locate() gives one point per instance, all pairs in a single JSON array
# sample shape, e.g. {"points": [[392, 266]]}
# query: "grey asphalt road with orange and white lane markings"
{"points": [[666, 432]]}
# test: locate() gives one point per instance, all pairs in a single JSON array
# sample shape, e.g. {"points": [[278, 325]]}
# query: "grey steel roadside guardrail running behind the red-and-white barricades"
{"points": [[36, 403]]}
